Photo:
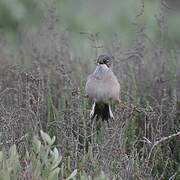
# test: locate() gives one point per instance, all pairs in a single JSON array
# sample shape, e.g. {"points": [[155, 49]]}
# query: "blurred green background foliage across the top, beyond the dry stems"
{"points": [[112, 19]]}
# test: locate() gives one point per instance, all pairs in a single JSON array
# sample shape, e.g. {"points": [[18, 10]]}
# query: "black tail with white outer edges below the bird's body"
{"points": [[101, 110]]}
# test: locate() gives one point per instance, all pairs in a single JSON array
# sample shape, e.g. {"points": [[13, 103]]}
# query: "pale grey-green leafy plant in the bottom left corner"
{"points": [[42, 162]]}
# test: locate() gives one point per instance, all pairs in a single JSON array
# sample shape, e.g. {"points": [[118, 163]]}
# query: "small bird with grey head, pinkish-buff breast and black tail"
{"points": [[102, 86]]}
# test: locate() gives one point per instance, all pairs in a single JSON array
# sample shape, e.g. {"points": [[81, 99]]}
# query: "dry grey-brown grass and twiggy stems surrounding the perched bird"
{"points": [[49, 95]]}
